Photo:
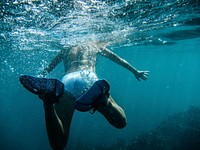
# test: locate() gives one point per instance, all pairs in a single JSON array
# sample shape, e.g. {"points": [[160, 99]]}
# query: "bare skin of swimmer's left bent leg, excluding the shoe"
{"points": [[58, 119]]}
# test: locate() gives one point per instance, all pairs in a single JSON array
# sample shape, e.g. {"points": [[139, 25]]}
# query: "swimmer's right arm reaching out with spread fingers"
{"points": [[115, 58]]}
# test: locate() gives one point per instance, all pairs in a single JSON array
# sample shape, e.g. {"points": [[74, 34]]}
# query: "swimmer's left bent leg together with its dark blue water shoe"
{"points": [[58, 106]]}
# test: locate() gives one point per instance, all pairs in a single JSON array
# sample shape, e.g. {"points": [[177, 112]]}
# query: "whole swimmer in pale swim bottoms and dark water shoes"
{"points": [[80, 89]]}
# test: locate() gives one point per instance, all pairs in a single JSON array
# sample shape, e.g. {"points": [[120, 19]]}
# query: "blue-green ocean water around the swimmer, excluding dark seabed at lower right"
{"points": [[160, 36]]}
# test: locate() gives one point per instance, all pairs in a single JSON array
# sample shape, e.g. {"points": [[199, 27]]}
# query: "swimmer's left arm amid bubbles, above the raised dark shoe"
{"points": [[52, 64]]}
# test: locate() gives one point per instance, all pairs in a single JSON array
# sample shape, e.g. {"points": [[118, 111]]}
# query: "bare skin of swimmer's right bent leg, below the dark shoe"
{"points": [[112, 112]]}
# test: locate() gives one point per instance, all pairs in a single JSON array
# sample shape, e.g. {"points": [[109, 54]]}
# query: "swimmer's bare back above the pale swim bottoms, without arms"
{"points": [[80, 58]]}
